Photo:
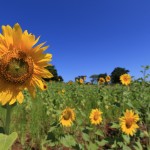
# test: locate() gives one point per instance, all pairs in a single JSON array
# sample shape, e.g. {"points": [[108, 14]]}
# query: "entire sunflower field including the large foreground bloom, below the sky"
{"points": [[35, 115]]}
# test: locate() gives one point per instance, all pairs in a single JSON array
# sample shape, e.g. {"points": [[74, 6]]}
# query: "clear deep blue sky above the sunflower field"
{"points": [[87, 36]]}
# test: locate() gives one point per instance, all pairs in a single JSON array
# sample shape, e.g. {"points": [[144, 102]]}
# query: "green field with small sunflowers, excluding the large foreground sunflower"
{"points": [[80, 116]]}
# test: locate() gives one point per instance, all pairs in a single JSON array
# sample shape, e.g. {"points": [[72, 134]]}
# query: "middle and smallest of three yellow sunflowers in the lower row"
{"points": [[95, 116]]}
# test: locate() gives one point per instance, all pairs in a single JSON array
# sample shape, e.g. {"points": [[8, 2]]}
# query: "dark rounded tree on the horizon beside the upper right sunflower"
{"points": [[116, 73]]}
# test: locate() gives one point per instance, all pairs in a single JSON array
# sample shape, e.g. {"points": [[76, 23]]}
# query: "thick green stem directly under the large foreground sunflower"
{"points": [[8, 116]]}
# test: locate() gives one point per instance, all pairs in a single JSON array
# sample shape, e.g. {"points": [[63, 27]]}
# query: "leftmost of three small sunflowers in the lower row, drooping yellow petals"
{"points": [[67, 117]]}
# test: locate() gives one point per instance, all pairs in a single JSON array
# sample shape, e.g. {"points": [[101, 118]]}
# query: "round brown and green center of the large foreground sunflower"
{"points": [[16, 67]]}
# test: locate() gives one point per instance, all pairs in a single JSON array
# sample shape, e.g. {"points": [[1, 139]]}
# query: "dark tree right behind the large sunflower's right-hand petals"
{"points": [[53, 71]]}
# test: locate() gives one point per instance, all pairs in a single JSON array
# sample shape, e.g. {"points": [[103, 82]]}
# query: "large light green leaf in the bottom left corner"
{"points": [[6, 141]]}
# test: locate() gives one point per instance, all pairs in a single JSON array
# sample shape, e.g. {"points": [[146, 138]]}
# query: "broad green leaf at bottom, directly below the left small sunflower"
{"points": [[68, 141]]}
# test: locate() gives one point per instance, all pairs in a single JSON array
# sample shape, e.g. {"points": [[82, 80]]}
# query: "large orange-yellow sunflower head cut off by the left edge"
{"points": [[22, 64]]}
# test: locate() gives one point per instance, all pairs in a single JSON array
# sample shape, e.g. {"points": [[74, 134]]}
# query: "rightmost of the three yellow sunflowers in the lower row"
{"points": [[128, 122]]}
